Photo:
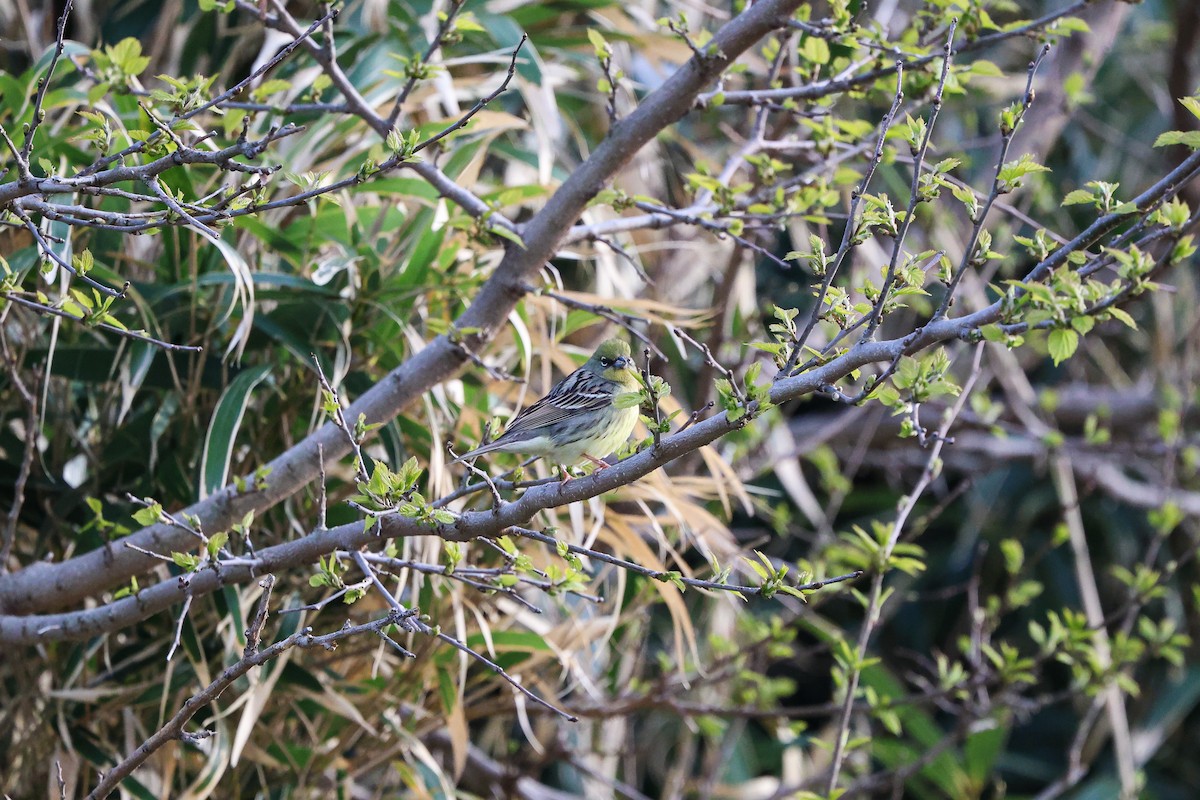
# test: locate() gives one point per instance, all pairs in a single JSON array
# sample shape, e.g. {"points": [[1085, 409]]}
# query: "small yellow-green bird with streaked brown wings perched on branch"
{"points": [[579, 418]]}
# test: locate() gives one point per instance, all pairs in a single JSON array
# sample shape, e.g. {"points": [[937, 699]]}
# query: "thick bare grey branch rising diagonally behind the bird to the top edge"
{"points": [[43, 587]]}
